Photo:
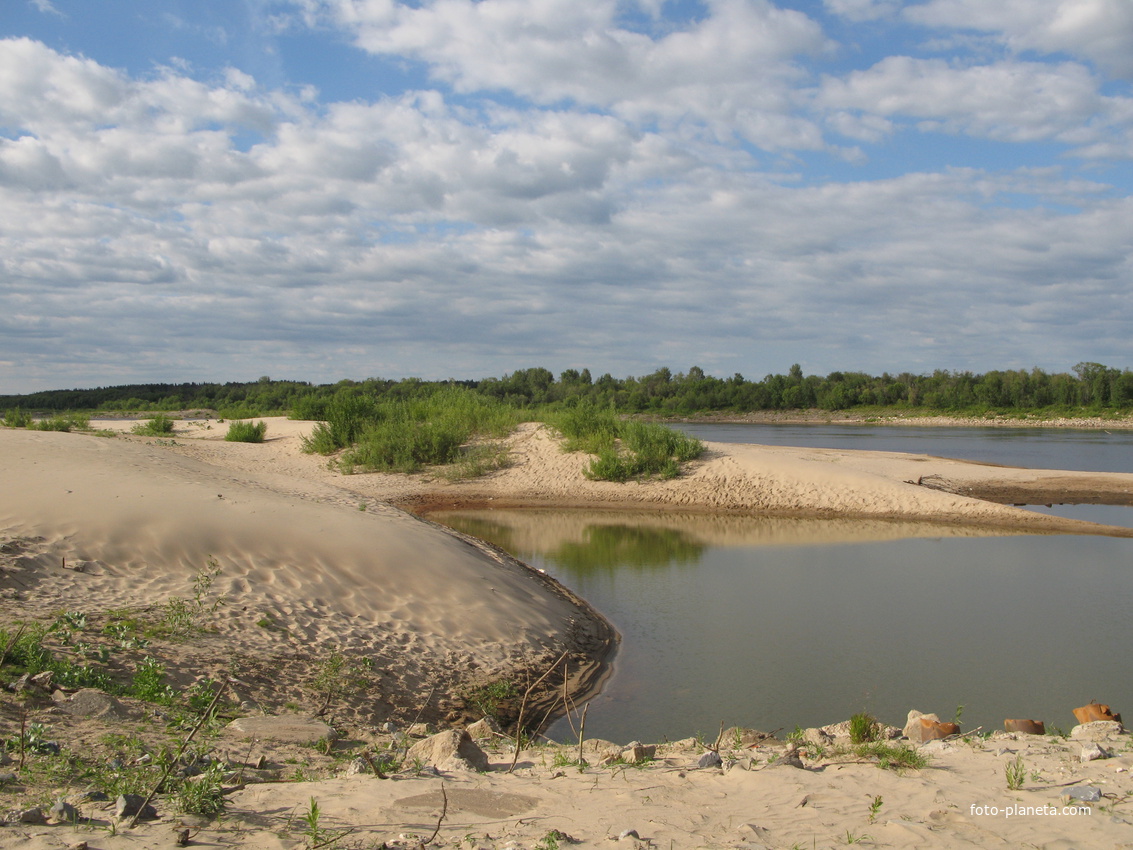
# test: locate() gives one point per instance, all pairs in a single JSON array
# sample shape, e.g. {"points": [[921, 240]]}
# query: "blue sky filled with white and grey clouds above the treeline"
{"points": [[320, 190]]}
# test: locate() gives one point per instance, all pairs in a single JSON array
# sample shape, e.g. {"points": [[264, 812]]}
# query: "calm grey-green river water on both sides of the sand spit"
{"points": [[781, 623]]}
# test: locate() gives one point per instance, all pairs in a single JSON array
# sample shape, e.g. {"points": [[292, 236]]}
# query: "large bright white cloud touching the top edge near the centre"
{"points": [[735, 67]]}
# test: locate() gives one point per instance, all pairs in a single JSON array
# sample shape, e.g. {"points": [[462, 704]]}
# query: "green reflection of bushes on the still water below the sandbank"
{"points": [[610, 548]]}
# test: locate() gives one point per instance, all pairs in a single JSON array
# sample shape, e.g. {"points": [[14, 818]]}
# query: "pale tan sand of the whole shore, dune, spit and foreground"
{"points": [[312, 565]]}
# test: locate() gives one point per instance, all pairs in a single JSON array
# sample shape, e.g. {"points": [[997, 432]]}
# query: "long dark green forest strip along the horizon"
{"points": [[1088, 389]]}
